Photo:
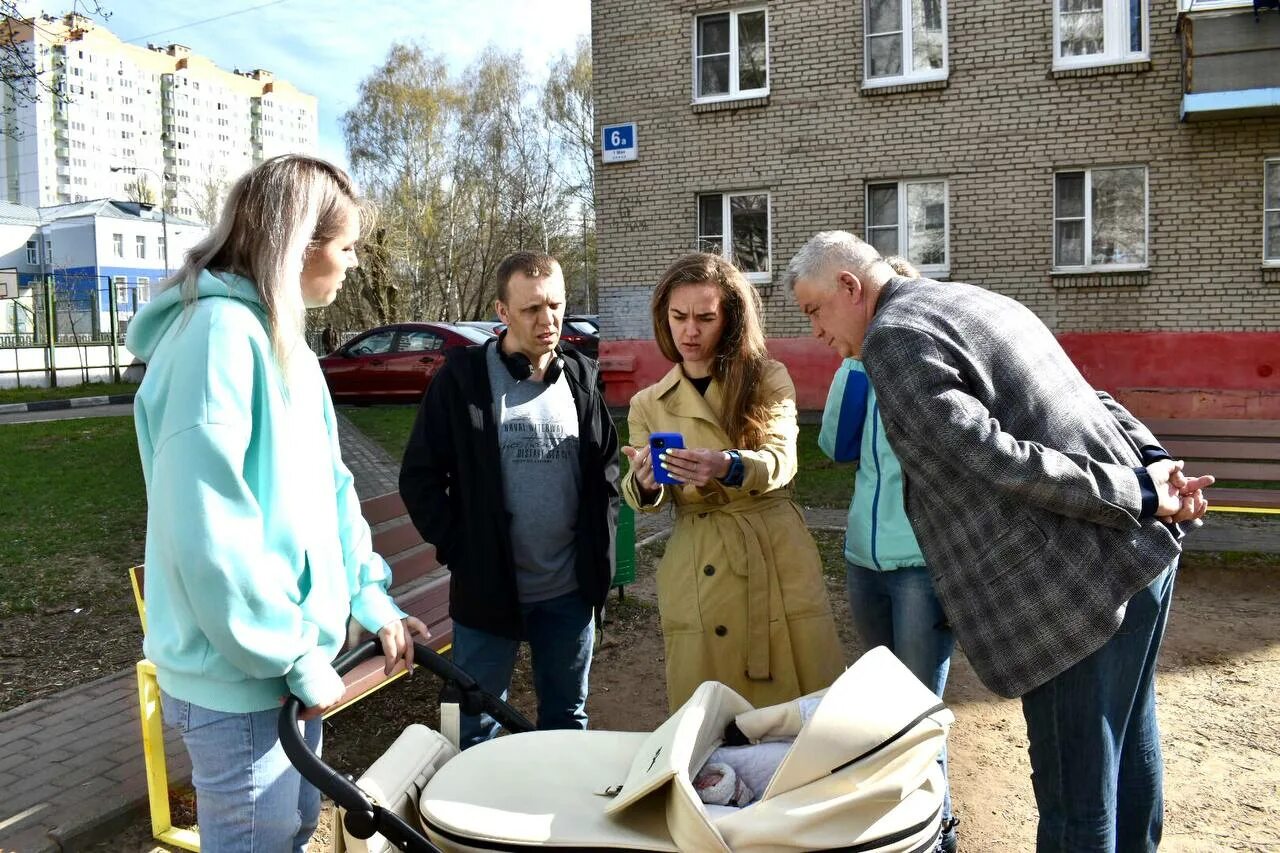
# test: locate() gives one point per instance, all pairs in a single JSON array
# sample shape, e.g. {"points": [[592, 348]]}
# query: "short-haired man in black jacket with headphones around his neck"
{"points": [[513, 473]]}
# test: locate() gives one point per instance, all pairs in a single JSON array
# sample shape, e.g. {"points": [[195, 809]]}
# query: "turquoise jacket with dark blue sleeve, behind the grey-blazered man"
{"points": [[879, 535]]}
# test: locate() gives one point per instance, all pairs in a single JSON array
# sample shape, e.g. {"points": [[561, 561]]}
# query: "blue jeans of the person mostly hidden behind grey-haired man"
{"points": [[900, 610]]}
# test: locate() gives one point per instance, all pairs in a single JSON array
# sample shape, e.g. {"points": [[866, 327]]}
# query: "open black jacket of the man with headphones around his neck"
{"points": [[451, 482]]}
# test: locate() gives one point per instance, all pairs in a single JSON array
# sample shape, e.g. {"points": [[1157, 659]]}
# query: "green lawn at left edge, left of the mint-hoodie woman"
{"points": [[76, 512]]}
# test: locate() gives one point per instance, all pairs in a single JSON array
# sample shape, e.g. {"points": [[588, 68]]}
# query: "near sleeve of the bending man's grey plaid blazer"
{"points": [[927, 399]]}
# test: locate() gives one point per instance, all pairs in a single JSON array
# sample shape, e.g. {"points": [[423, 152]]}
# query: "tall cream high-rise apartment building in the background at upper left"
{"points": [[111, 118]]}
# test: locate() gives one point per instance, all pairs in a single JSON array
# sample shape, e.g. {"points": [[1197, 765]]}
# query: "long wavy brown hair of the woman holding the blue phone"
{"points": [[740, 354]]}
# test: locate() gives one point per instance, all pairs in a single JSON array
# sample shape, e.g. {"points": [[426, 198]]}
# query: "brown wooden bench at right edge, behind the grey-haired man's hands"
{"points": [[1240, 450]]}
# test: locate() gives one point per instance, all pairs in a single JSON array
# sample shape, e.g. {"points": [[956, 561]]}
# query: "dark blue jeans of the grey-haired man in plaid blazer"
{"points": [[1095, 743]]}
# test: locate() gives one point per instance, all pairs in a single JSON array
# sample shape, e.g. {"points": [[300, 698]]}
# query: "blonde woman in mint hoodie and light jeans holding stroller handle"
{"points": [[257, 550]]}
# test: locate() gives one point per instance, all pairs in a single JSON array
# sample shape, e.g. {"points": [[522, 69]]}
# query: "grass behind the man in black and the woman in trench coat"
{"points": [[821, 482]]}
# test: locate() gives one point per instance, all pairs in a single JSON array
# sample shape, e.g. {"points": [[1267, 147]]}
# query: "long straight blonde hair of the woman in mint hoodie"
{"points": [[275, 215]]}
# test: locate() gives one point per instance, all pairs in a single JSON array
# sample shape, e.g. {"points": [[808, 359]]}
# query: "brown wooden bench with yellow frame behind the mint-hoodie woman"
{"points": [[420, 587]]}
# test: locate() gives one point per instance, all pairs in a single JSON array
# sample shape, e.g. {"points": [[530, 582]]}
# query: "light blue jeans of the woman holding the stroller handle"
{"points": [[249, 797]]}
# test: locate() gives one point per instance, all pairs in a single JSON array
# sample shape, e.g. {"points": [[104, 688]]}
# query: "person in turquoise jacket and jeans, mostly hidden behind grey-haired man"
{"points": [[892, 596]]}
